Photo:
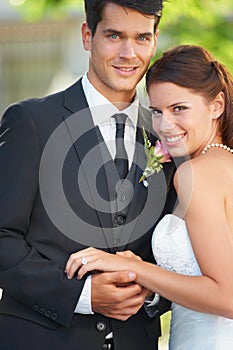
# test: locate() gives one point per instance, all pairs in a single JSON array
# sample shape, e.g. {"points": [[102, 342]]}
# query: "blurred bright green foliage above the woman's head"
{"points": [[208, 23]]}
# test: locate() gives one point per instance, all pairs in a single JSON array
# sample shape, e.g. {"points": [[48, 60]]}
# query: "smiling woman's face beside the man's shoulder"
{"points": [[185, 121]]}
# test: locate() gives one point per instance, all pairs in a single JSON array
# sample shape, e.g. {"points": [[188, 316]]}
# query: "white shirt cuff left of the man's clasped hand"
{"points": [[84, 303]]}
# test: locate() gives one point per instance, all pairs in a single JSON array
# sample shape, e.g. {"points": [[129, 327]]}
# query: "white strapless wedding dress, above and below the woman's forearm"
{"points": [[190, 330]]}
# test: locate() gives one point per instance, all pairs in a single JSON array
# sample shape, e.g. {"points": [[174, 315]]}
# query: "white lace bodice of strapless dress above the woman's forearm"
{"points": [[172, 248]]}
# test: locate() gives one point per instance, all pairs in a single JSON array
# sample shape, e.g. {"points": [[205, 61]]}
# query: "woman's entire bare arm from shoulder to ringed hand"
{"points": [[212, 243]]}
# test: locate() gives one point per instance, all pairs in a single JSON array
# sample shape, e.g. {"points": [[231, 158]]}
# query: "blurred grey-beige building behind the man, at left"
{"points": [[38, 58]]}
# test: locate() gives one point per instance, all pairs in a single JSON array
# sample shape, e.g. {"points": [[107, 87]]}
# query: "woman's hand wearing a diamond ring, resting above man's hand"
{"points": [[91, 259]]}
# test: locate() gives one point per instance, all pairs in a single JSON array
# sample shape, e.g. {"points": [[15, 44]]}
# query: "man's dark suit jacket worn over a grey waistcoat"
{"points": [[50, 208]]}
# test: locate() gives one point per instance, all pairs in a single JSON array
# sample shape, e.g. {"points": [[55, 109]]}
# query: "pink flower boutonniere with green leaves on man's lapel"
{"points": [[156, 156]]}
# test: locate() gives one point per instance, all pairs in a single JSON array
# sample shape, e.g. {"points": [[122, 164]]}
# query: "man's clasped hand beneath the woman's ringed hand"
{"points": [[116, 295]]}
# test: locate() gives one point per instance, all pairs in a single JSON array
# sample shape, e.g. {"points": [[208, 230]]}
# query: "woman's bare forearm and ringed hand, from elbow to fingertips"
{"points": [[199, 293]]}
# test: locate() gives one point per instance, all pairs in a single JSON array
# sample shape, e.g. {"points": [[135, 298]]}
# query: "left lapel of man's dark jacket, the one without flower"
{"points": [[92, 153]]}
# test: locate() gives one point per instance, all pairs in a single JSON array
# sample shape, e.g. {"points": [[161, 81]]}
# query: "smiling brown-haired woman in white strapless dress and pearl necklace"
{"points": [[191, 100]]}
